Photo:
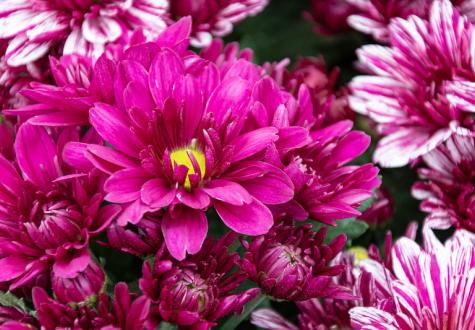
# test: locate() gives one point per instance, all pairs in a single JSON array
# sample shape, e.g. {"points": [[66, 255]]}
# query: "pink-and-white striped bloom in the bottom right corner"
{"points": [[428, 288]]}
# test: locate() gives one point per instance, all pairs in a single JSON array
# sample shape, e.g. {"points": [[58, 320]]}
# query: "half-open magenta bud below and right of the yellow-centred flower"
{"points": [[294, 264]]}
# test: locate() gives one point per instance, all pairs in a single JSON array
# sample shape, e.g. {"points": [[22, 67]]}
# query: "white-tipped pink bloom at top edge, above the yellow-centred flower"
{"points": [[214, 18]]}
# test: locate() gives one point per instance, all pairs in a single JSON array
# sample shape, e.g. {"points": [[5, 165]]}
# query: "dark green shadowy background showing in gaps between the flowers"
{"points": [[281, 31]]}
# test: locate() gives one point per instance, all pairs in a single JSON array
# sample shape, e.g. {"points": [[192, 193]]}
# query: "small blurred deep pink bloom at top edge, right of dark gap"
{"points": [[330, 16]]}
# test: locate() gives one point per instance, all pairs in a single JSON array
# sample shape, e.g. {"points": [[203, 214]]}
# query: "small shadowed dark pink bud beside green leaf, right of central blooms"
{"points": [[381, 209]]}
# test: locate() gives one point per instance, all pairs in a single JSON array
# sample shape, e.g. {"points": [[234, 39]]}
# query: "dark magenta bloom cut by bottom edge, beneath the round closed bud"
{"points": [[125, 311]]}
